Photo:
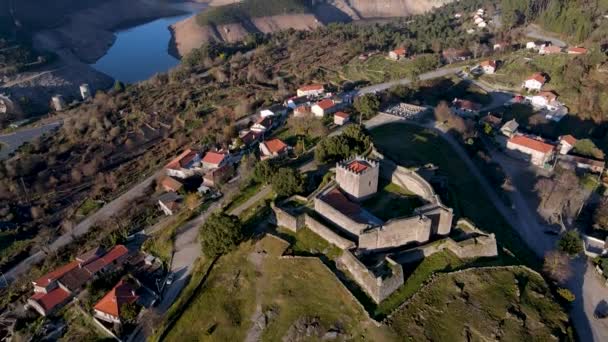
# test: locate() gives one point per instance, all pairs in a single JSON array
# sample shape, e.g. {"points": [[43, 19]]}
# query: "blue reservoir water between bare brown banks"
{"points": [[142, 51]]}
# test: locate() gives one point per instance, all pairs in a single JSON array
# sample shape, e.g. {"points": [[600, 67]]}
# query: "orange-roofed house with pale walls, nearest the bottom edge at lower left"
{"points": [[110, 306]]}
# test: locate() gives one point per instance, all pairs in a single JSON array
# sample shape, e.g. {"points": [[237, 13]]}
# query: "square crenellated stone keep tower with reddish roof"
{"points": [[358, 177]]}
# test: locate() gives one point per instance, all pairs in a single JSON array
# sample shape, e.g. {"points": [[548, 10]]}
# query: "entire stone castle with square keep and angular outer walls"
{"points": [[340, 219]]}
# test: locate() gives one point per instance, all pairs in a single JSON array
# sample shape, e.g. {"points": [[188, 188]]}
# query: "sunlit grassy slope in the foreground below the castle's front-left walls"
{"points": [[287, 289]]}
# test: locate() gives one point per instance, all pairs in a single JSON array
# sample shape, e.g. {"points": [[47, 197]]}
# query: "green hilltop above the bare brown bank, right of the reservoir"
{"points": [[247, 9]]}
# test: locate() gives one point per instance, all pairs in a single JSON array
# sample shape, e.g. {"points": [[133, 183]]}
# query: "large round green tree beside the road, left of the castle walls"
{"points": [[220, 234]]}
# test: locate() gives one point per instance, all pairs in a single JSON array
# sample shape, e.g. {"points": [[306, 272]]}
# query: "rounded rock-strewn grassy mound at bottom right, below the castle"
{"points": [[483, 304]]}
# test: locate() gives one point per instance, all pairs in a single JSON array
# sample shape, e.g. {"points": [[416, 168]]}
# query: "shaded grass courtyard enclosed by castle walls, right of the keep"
{"points": [[392, 201]]}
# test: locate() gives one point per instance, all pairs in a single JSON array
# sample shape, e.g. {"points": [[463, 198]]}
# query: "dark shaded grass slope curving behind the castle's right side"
{"points": [[414, 146]]}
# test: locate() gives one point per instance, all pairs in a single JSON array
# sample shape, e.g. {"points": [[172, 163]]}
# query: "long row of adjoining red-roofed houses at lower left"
{"points": [[56, 288]]}
